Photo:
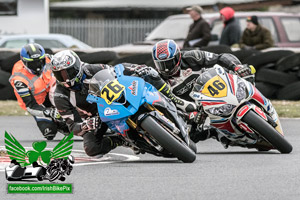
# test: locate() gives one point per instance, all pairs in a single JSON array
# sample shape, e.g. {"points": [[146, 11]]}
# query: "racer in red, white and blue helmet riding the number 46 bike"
{"points": [[181, 69]]}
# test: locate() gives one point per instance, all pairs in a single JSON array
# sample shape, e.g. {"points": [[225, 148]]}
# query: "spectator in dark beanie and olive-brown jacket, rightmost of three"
{"points": [[255, 36]]}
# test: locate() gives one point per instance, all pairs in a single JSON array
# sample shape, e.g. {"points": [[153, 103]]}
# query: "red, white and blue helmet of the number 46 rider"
{"points": [[167, 57]]}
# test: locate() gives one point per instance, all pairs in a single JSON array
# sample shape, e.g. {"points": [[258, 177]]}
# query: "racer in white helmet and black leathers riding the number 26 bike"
{"points": [[73, 76]]}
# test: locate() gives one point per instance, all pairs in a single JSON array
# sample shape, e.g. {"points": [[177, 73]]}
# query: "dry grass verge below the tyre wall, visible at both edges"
{"points": [[284, 108]]}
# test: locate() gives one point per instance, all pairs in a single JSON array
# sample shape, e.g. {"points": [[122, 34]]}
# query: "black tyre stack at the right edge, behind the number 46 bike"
{"points": [[278, 74]]}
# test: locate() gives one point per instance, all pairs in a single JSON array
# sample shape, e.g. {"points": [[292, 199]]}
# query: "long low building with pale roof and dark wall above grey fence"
{"points": [[142, 9]]}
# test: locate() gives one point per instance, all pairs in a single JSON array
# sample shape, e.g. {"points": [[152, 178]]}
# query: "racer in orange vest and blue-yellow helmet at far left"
{"points": [[33, 84]]}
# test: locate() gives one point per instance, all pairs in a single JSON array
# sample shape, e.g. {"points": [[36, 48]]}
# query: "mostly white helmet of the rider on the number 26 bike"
{"points": [[67, 69]]}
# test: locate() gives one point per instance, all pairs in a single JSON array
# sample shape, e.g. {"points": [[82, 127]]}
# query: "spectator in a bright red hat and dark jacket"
{"points": [[231, 32]]}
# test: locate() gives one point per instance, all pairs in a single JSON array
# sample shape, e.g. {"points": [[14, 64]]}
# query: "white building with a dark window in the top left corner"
{"points": [[24, 16]]}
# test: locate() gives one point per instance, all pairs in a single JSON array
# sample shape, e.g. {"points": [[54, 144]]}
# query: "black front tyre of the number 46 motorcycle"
{"points": [[268, 132]]}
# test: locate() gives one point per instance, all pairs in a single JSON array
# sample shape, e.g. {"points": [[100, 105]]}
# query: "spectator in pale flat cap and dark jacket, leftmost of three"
{"points": [[199, 32]]}
